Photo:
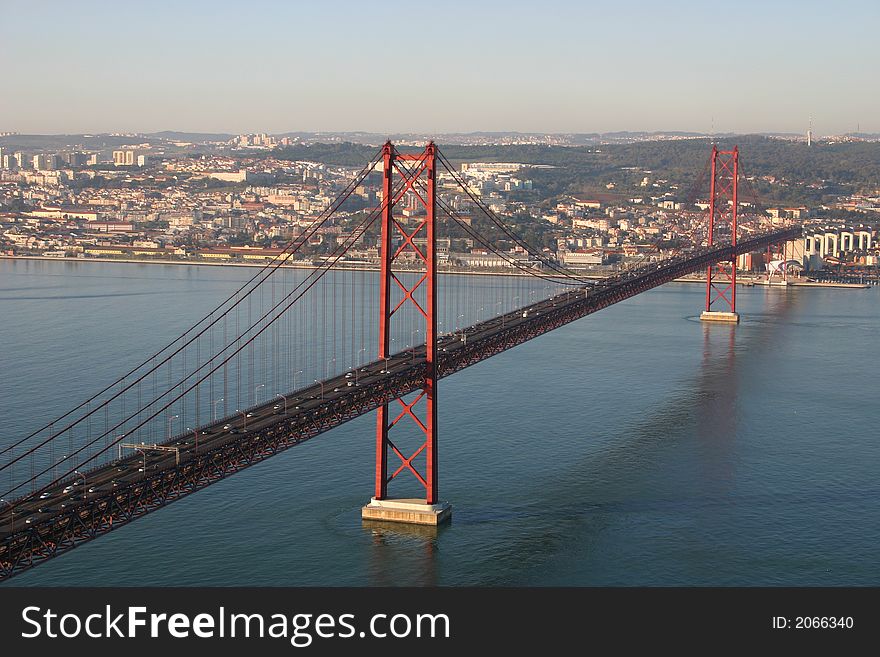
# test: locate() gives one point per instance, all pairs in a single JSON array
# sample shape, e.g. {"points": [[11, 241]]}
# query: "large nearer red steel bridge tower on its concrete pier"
{"points": [[416, 178]]}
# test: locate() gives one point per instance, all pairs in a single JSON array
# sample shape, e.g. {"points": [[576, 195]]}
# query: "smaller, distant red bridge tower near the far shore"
{"points": [[723, 206]]}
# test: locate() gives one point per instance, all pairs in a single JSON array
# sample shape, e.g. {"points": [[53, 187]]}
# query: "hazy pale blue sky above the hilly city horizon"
{"points": [[442, 66]]}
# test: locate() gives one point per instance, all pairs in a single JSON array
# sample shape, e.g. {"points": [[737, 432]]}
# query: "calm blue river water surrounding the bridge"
{"points": [[634, 447]]}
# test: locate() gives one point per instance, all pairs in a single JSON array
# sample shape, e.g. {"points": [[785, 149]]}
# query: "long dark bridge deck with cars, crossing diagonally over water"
{"points": [[53, 520]]}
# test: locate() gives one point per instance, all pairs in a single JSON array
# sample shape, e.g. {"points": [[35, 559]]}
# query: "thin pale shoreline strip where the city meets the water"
{"points": [[742, 281]]}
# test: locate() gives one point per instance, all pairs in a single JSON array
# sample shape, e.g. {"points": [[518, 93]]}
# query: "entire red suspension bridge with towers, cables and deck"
{"points": [[294, 352]]}
